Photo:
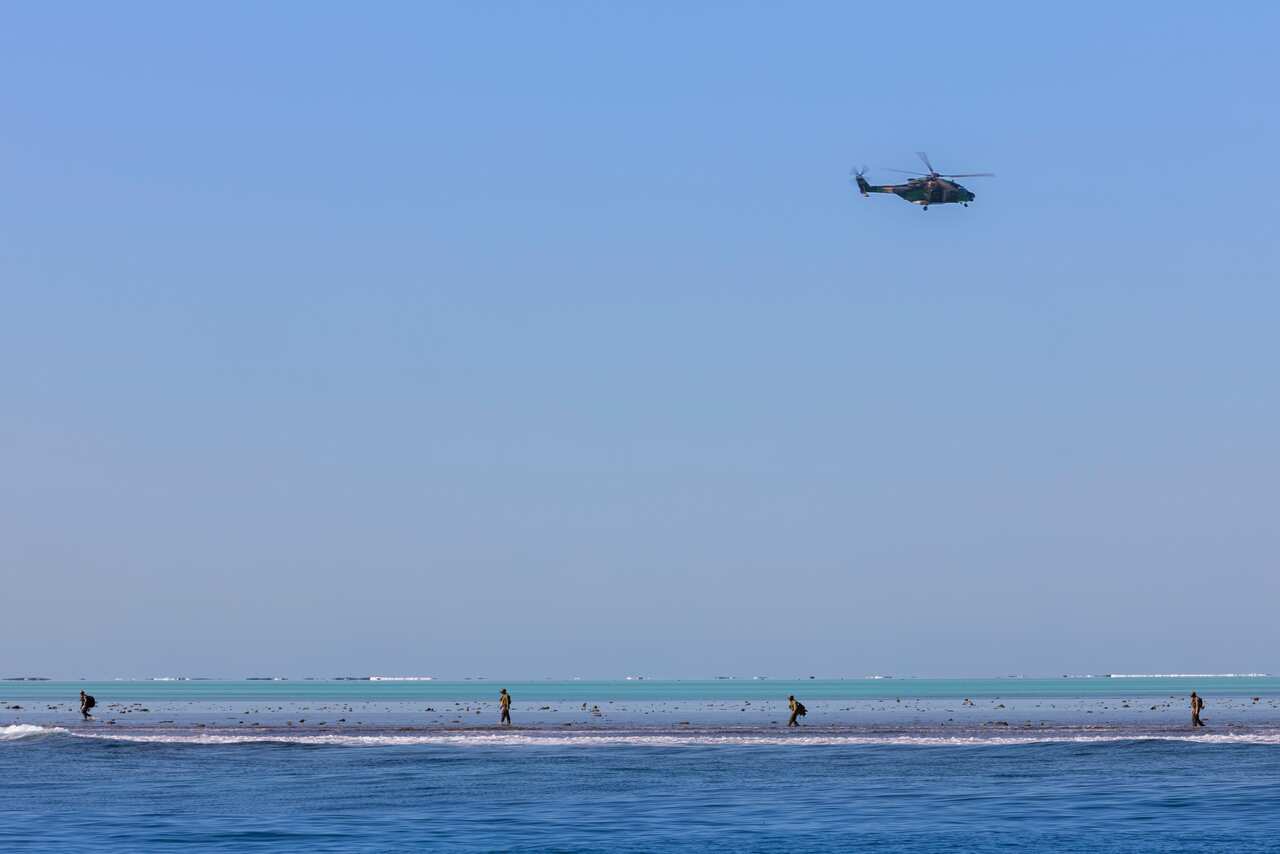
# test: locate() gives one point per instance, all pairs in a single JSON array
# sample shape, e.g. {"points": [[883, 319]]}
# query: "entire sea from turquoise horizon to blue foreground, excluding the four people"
{"points": [[894, 765]]}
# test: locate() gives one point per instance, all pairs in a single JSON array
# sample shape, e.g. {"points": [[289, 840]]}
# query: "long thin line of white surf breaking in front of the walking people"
{"points": [[515, 739]]}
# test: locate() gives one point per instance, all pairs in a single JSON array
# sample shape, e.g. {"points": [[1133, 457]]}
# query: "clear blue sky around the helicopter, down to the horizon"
{"points": [[534, 340]]}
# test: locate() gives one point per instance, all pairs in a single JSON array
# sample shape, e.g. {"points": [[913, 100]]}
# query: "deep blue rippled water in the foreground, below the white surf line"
{"points": [[60, 792]]}
